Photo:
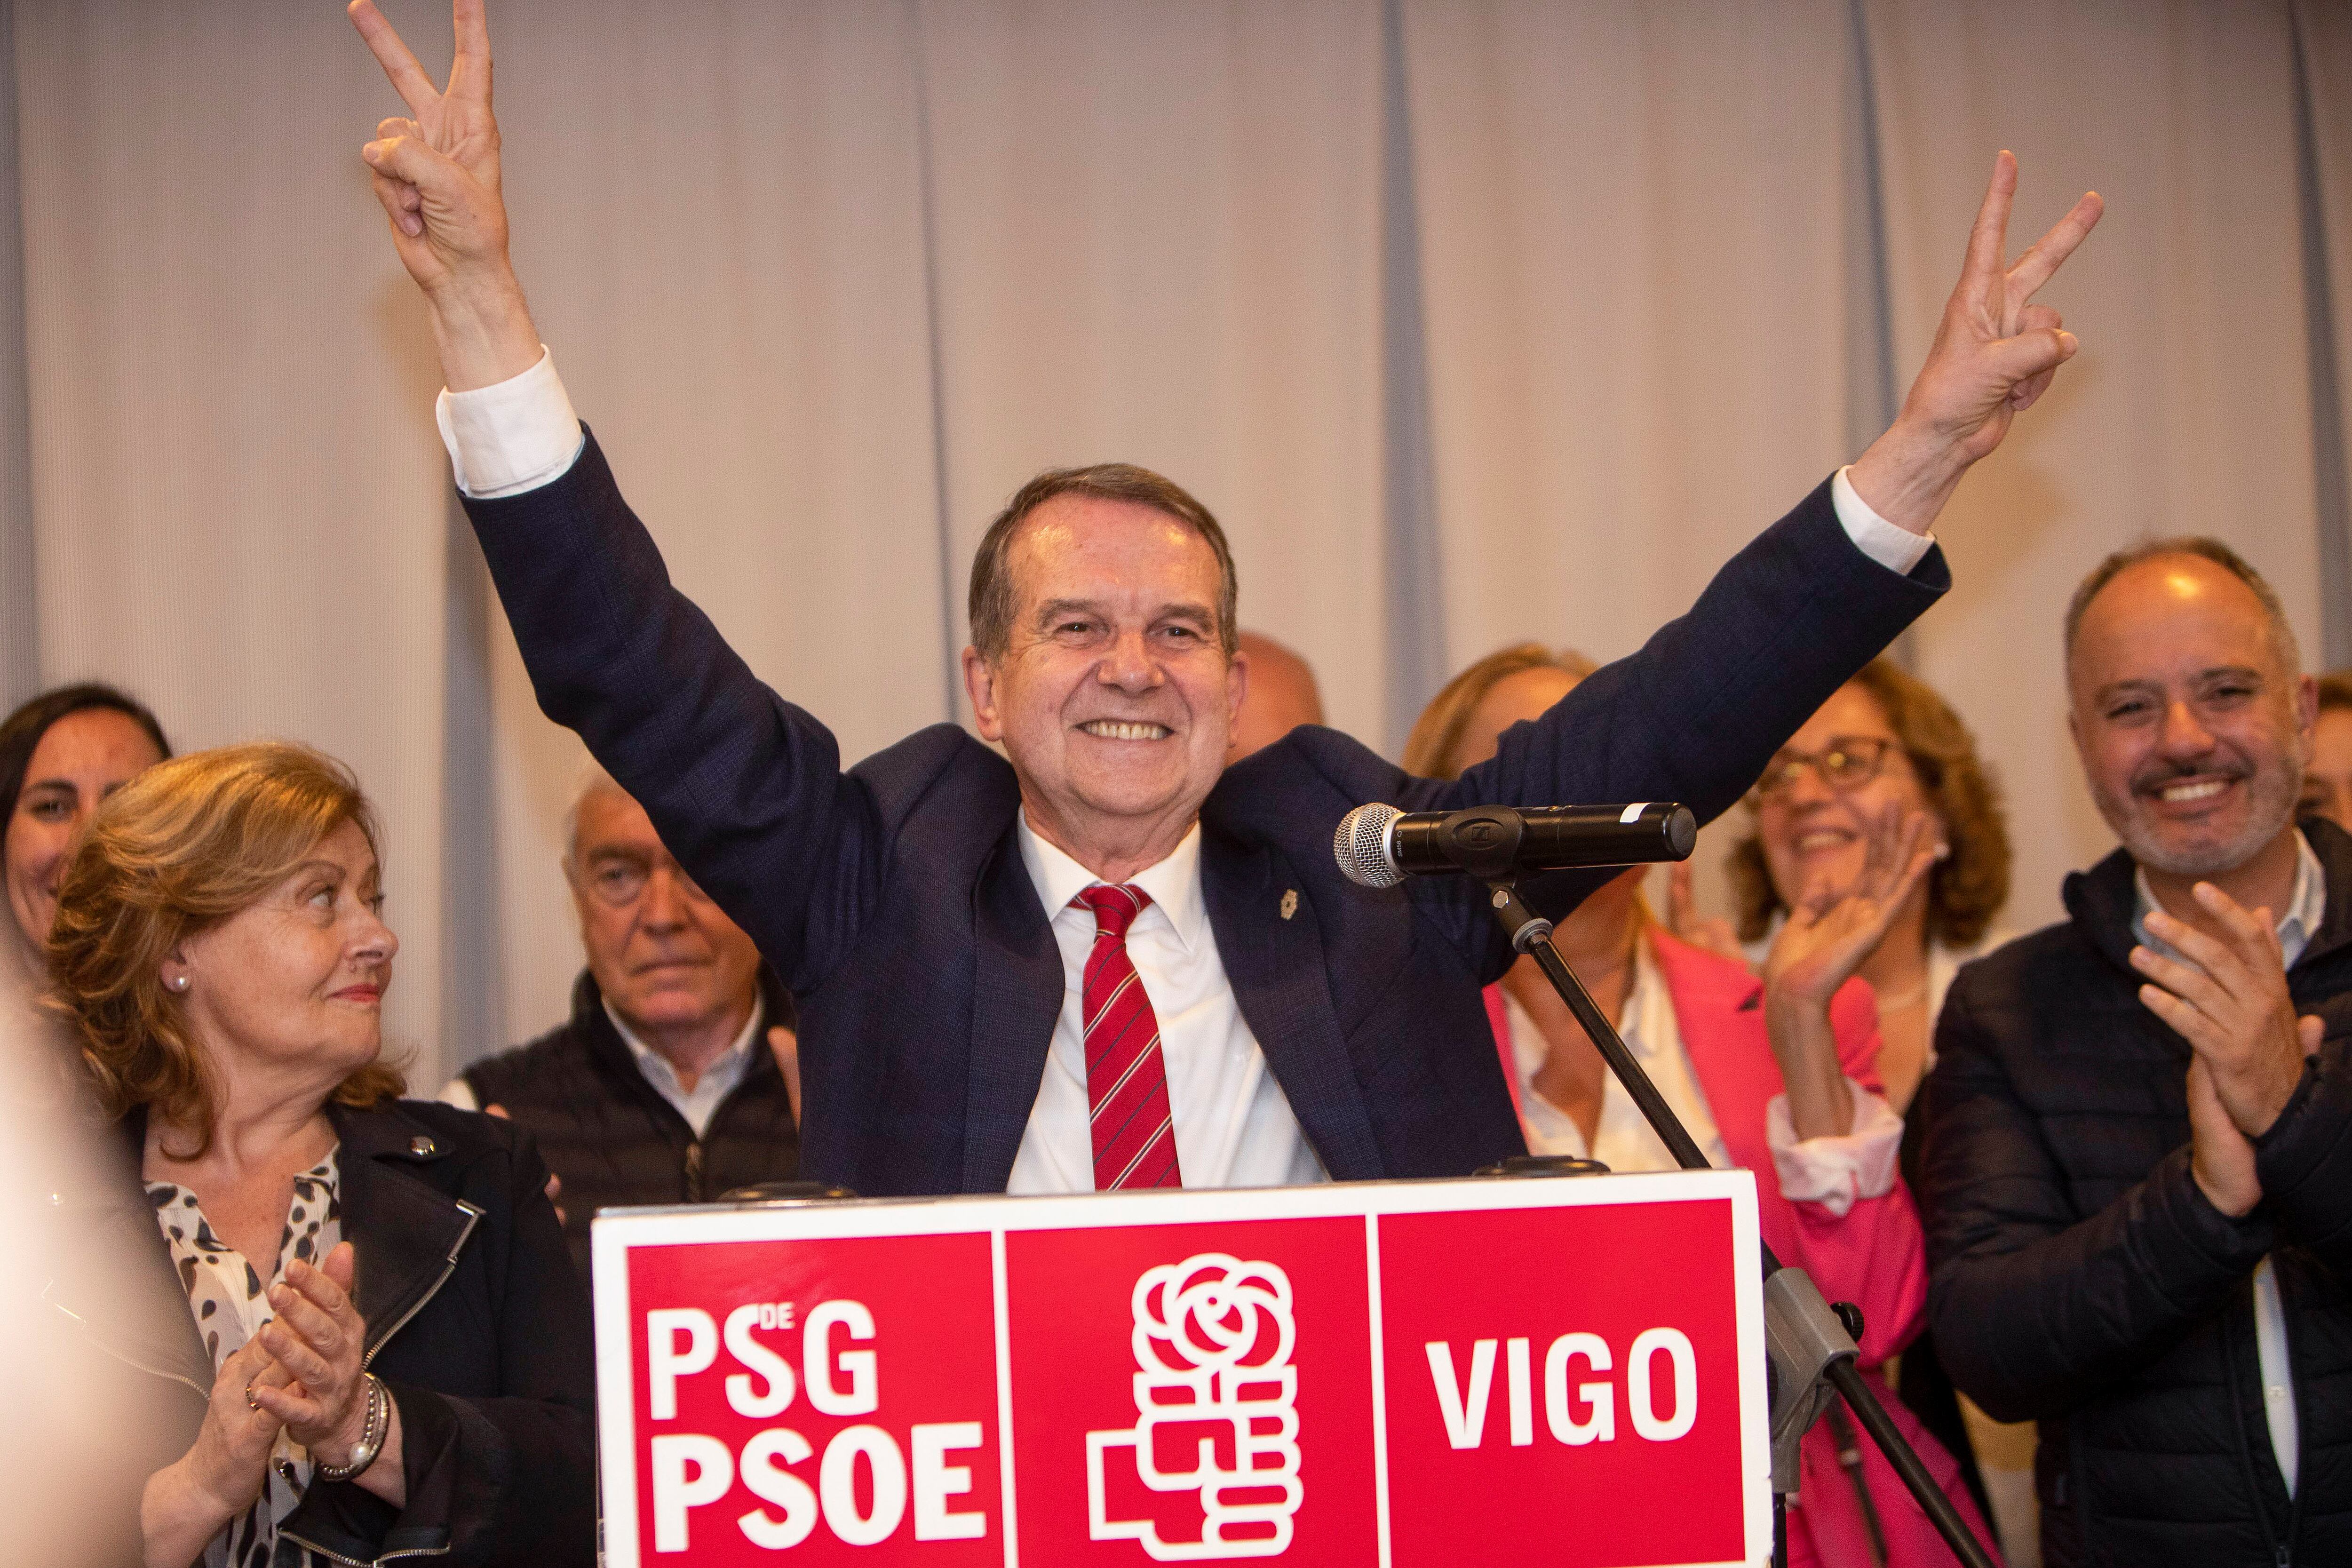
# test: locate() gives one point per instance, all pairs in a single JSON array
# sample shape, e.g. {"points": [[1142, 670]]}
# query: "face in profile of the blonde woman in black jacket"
{"points": [[293, 986]]}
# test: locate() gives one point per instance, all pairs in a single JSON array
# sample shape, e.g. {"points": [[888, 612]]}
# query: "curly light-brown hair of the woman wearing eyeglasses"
{"points": [[1963, 892]]}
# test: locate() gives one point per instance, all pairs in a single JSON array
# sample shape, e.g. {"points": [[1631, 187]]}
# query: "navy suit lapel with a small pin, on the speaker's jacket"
{"points": [[1276, 970]]}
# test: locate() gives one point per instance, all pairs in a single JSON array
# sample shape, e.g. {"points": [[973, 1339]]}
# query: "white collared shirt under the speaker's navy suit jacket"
{"points": [[1234, 1123]]}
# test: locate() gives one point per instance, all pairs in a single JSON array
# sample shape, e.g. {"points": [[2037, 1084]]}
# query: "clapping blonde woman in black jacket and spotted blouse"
{"points": [[361, 1306]]}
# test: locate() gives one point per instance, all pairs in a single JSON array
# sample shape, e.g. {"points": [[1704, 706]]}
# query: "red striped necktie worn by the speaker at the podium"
{"points": [[1128, 1085]]}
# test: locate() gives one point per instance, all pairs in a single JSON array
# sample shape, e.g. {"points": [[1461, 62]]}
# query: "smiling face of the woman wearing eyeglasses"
{"points": [[1817, 833]]}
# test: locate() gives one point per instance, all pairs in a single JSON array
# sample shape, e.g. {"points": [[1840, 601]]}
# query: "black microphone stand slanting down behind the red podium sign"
{"points": [[1810, 1346]]}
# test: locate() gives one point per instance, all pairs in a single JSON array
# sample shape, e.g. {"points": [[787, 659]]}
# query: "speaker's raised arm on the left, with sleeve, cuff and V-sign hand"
{"points": [[744, 789]]}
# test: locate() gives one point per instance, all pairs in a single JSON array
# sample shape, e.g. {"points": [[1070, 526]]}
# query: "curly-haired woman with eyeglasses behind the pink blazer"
{"points": [[1890, 746]]}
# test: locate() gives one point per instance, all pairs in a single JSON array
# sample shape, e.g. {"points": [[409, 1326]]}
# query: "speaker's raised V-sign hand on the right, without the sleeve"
{"points": [[1996, 354]]}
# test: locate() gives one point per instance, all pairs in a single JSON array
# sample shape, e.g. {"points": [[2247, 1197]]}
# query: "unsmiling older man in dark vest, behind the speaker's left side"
{"points": [[676, 1076]]}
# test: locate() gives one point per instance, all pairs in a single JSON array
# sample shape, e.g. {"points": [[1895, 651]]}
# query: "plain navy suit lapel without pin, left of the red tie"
{"points": [[1017, 991]]}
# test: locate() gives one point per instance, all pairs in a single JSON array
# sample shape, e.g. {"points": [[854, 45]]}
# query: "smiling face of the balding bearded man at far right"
{"points": [[2189, 716]]}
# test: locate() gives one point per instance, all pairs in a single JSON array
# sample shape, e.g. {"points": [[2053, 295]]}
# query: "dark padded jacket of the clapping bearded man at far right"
{"points": [[2080, 1275]]}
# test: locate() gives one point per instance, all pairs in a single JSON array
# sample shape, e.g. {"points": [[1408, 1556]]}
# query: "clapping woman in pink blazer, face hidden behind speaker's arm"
{"points": [[1777, 1076]]}
